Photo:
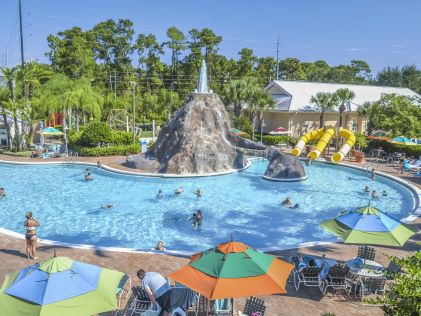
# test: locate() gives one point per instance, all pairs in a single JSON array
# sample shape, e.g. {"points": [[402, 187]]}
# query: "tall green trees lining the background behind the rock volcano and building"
{"points": [[110, 66]]}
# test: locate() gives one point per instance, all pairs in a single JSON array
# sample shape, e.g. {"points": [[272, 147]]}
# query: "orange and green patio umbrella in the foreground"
{"points": [[233, 270]]}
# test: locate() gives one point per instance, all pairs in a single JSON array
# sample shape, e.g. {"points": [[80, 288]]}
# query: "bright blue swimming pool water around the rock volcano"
{"points": [[241, 204]]}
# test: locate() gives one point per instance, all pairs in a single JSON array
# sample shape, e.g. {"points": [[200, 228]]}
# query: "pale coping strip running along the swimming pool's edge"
{"points": [[416, 213]]}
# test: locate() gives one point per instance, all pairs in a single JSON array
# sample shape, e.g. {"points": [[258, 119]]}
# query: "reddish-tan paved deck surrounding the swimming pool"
{"points": [[305, 302]]}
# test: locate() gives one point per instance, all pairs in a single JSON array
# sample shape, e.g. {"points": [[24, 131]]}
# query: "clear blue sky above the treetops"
{"points": [[381, 32]]}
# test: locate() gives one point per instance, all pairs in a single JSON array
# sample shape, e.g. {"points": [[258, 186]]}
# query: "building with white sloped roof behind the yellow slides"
{"points": [[294, 111]]}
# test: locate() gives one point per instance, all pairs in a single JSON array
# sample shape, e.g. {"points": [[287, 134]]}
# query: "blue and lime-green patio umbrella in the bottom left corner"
{"points": [[59, 286]]}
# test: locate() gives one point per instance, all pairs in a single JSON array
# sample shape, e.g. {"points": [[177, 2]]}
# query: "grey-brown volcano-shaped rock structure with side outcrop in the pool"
{"points": [[197, 141]]}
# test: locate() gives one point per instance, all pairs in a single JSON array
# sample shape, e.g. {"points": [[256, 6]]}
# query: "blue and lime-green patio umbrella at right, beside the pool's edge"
{"points": [[368, 225]]}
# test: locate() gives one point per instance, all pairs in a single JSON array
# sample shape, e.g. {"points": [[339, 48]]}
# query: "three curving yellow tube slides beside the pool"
{"points": [[325, 137]]}
